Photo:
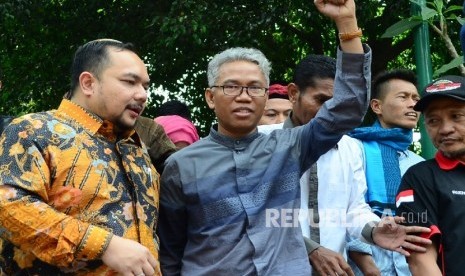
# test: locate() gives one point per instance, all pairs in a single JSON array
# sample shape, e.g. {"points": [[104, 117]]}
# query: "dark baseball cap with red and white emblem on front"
{"points": [[447, 86]]}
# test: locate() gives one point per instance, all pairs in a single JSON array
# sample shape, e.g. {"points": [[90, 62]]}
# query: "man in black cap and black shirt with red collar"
{"points": [[432, 193]]}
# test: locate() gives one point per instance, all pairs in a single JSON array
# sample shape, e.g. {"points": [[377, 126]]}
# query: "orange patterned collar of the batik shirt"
{"points": [[90, 121]]}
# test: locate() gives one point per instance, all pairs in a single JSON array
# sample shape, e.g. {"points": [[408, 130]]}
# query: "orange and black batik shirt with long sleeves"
{"points": [[67, 185]]}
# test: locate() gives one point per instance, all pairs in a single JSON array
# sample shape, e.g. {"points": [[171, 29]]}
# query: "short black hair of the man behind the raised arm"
{"points": [[312, 68]]}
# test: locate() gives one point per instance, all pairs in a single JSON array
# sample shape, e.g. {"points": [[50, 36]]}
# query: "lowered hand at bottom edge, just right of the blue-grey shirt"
{"points": [[327, 262]]}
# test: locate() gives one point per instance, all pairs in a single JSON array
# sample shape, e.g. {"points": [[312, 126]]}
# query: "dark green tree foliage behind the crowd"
{"points": [[177, 38]]}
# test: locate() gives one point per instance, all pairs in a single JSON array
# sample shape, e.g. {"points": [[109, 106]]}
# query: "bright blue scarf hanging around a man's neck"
{"points": [[381, 147]]}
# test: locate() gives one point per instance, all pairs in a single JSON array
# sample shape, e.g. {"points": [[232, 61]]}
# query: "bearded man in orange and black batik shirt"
{"points": [[78, 193]]}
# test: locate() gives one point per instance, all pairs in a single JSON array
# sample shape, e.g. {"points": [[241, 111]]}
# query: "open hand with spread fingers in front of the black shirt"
{"points": [[390, 235]]}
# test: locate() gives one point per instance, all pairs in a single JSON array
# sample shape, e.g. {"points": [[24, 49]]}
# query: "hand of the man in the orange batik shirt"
{"points": [[128, 257]]}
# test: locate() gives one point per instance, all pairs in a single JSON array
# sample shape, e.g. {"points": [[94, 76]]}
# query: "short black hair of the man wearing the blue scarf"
{"points": [[378, 87]]}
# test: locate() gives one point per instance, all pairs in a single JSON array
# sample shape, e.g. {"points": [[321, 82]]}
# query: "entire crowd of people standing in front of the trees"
{"points": [[287, 182]]}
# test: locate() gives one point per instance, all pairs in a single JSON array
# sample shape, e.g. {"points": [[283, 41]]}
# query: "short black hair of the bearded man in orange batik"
{"points": [[93, 57]]}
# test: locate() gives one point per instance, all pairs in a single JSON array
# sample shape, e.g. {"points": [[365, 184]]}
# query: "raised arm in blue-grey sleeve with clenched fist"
{"points": [[346, 109]]}
